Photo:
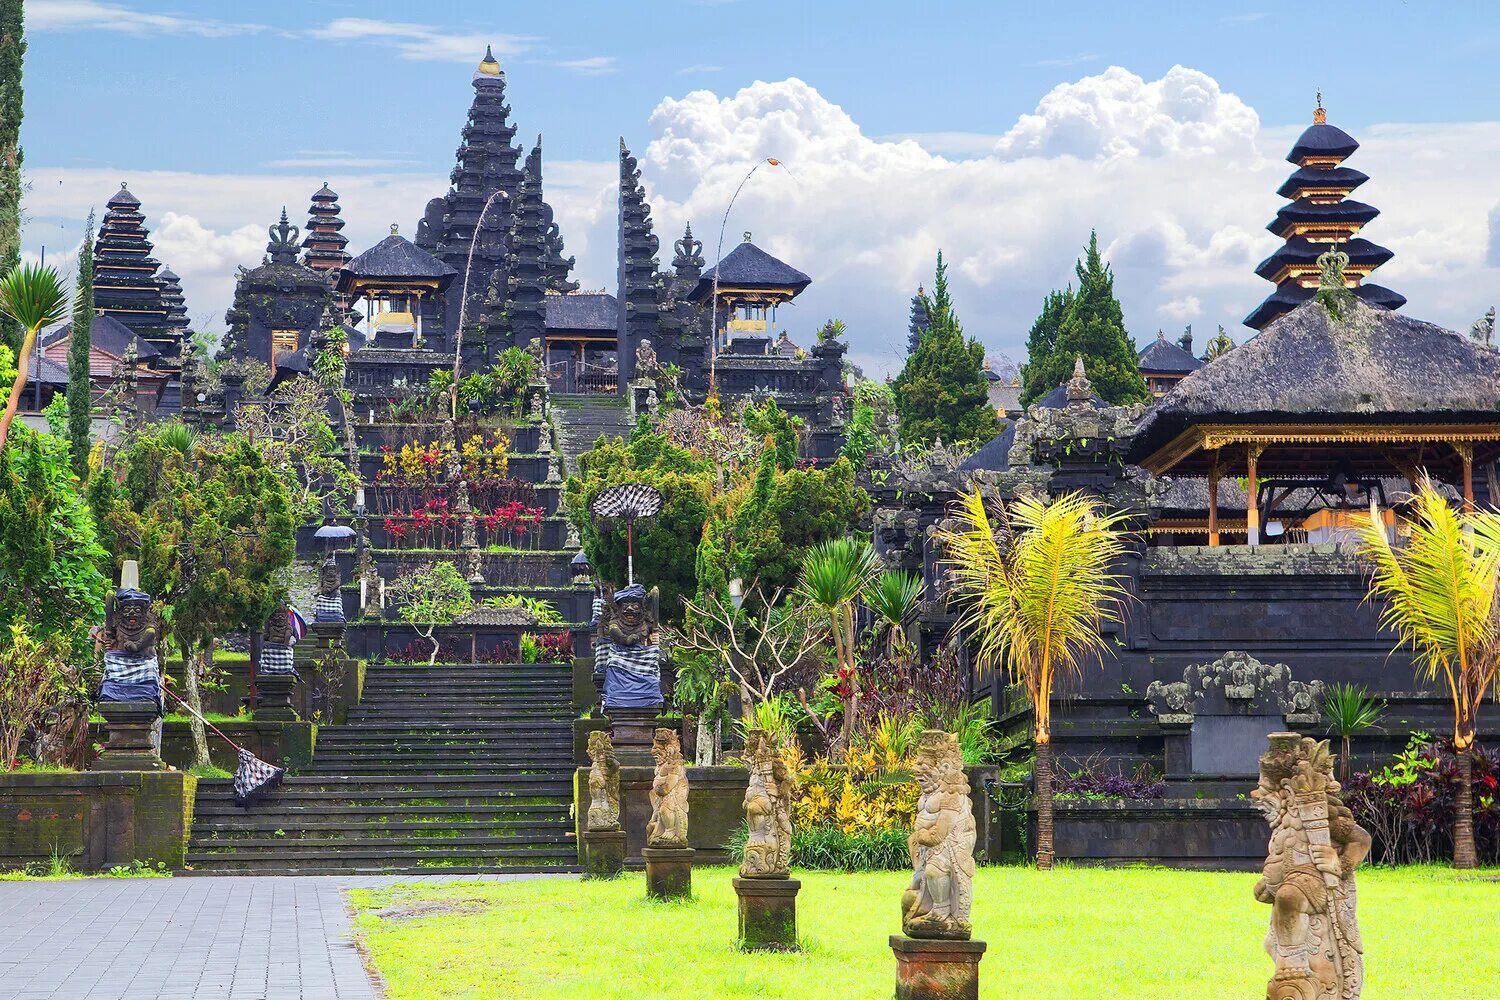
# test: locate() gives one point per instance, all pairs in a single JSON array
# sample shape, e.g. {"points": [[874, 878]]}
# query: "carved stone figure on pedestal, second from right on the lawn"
{"points": [[941, 896]]}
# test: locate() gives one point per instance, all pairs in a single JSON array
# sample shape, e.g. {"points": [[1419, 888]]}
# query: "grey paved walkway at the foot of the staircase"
{"points": [[184, 939]]}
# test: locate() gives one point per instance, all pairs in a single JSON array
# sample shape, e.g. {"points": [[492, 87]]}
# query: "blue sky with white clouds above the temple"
{"points": [[223, 112]]}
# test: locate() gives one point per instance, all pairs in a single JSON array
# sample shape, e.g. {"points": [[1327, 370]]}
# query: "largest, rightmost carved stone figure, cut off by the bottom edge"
{"points": [[1309, 878]]}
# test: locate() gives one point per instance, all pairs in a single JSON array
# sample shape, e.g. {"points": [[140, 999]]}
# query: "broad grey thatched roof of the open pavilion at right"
{"points": [[1373, 367]]}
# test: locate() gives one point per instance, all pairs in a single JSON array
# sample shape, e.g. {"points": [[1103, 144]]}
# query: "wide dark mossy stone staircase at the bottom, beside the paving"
{"points": [[454, 768]]}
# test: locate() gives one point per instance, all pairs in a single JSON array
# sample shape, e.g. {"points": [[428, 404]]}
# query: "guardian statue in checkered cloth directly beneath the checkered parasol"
{"points": [[629, 647]]}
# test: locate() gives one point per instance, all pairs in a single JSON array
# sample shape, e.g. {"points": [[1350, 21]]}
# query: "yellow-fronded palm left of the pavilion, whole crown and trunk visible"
{"points": [[1036, 587]]}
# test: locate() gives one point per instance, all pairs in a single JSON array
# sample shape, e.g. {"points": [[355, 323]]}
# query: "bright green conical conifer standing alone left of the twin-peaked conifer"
{"points": [[943, 391]]}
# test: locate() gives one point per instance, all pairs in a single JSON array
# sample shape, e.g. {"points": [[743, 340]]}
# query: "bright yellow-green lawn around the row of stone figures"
{"points": [[1070, 935]]}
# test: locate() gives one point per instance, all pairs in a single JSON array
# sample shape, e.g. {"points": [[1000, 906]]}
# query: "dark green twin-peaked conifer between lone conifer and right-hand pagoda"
{"points": [[1094, 329]]}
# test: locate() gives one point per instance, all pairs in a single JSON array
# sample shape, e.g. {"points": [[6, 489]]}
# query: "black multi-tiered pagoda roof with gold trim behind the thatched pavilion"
{"points": [[1319, 215]]}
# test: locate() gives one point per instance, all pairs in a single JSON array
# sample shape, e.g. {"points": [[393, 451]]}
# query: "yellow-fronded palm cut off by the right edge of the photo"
{"points": [[1442, 599]]}
